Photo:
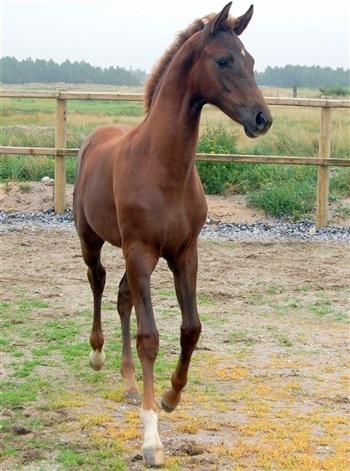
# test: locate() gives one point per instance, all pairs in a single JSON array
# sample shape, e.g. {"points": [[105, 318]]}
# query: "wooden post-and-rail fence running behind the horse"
{"points": [[323, 161]]}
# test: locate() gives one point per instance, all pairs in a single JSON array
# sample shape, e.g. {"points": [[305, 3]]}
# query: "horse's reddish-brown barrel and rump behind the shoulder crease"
{"points": [[93, 200]]}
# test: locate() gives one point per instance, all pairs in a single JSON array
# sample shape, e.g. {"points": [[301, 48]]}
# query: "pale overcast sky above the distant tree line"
{"points": [[135, 33]]}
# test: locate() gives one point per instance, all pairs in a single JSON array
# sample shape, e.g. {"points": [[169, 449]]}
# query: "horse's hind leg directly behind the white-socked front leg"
{"points": [[127, 368]]}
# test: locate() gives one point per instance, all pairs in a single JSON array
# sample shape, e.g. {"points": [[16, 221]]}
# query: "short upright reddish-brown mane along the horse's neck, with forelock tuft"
{"points": [[163, 64]]}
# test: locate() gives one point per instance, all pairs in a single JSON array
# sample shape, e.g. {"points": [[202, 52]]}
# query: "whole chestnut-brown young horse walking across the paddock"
{"points": [[140, 190]]}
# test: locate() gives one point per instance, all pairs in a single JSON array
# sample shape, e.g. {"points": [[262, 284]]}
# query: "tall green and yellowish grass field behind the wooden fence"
{"points": [[279, 190]]}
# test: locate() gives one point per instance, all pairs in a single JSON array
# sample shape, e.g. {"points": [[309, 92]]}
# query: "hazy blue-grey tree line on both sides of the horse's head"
{"points": [[26, 71]]}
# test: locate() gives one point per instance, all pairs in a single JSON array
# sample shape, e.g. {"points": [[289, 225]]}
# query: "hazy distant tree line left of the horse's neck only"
{"points": [[41, 71]]}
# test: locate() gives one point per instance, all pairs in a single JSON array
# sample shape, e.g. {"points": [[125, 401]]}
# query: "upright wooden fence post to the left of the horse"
{"points": [[60, 160]]}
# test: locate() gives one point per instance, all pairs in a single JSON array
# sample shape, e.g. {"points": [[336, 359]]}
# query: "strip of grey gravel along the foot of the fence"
{"points": [[303, 230]]}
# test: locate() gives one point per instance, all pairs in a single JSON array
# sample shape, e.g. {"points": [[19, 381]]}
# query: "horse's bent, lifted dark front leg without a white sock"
{"points": [[184, 269]]}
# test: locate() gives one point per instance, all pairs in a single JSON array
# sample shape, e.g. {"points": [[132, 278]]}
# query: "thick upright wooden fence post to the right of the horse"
{"points": [[323, 170]]}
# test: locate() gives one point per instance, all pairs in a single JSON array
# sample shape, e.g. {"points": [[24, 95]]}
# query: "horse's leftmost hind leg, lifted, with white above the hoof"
{"points": [[96, 273]]}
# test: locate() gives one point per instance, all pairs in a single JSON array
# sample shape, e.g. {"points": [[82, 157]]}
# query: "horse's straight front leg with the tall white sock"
{"points": [[140, 263]]}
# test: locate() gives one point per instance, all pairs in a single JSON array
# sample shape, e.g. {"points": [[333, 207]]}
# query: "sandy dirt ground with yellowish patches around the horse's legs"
{"points": [[269, 383]]}
